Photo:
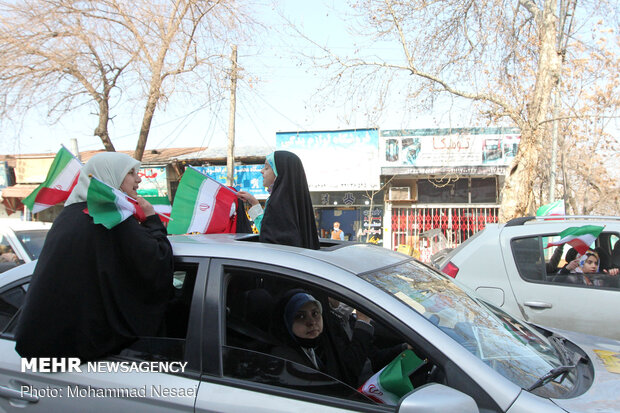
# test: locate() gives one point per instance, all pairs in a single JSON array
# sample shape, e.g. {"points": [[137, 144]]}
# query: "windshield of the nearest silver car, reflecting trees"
{"points": [[516, 351]]}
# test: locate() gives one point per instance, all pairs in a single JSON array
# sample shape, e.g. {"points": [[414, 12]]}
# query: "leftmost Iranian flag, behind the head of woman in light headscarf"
{"points": [[60, 180]]}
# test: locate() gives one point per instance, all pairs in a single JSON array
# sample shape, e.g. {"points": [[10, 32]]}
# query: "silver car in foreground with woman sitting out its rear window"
{"points": [[477, 357]]}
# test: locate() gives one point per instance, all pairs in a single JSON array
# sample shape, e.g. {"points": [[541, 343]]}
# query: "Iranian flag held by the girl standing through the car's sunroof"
{"points": [[202, 205]]}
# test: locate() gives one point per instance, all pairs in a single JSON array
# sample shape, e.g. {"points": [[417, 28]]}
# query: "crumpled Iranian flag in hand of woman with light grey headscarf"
{"points": [[109, 206]]}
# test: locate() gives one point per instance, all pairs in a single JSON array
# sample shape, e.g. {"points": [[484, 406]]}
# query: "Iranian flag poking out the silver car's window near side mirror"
{"points": [[392, 382]]}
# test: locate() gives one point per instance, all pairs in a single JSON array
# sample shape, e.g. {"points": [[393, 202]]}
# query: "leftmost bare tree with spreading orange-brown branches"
{"points": [[51, 55]]}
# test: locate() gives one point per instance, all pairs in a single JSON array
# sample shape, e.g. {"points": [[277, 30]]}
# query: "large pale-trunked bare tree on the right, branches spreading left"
{"points": [[501, 56]]}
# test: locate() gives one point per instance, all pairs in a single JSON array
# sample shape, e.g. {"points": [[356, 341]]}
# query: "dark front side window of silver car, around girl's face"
{"points": [[255, 347]]}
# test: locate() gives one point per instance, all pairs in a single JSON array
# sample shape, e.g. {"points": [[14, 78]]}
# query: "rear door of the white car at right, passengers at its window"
{"points": [[549, 299]]}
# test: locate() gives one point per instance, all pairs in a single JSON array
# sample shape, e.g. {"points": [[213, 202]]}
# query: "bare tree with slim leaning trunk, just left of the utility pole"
{"points": [[174, 38]]}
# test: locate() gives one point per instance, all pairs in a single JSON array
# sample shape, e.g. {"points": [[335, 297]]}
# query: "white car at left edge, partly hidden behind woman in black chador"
{"points": [[20, 241]]}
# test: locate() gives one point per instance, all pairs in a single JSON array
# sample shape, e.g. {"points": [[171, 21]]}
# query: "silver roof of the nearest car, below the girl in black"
{"points": [[356, 258]]}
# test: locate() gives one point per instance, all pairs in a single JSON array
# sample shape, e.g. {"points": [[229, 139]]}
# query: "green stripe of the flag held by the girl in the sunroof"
{"points": [[184, 201]]}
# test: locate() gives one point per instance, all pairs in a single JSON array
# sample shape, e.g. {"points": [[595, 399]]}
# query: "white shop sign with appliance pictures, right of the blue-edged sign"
{"points": [[446, 148]]}
